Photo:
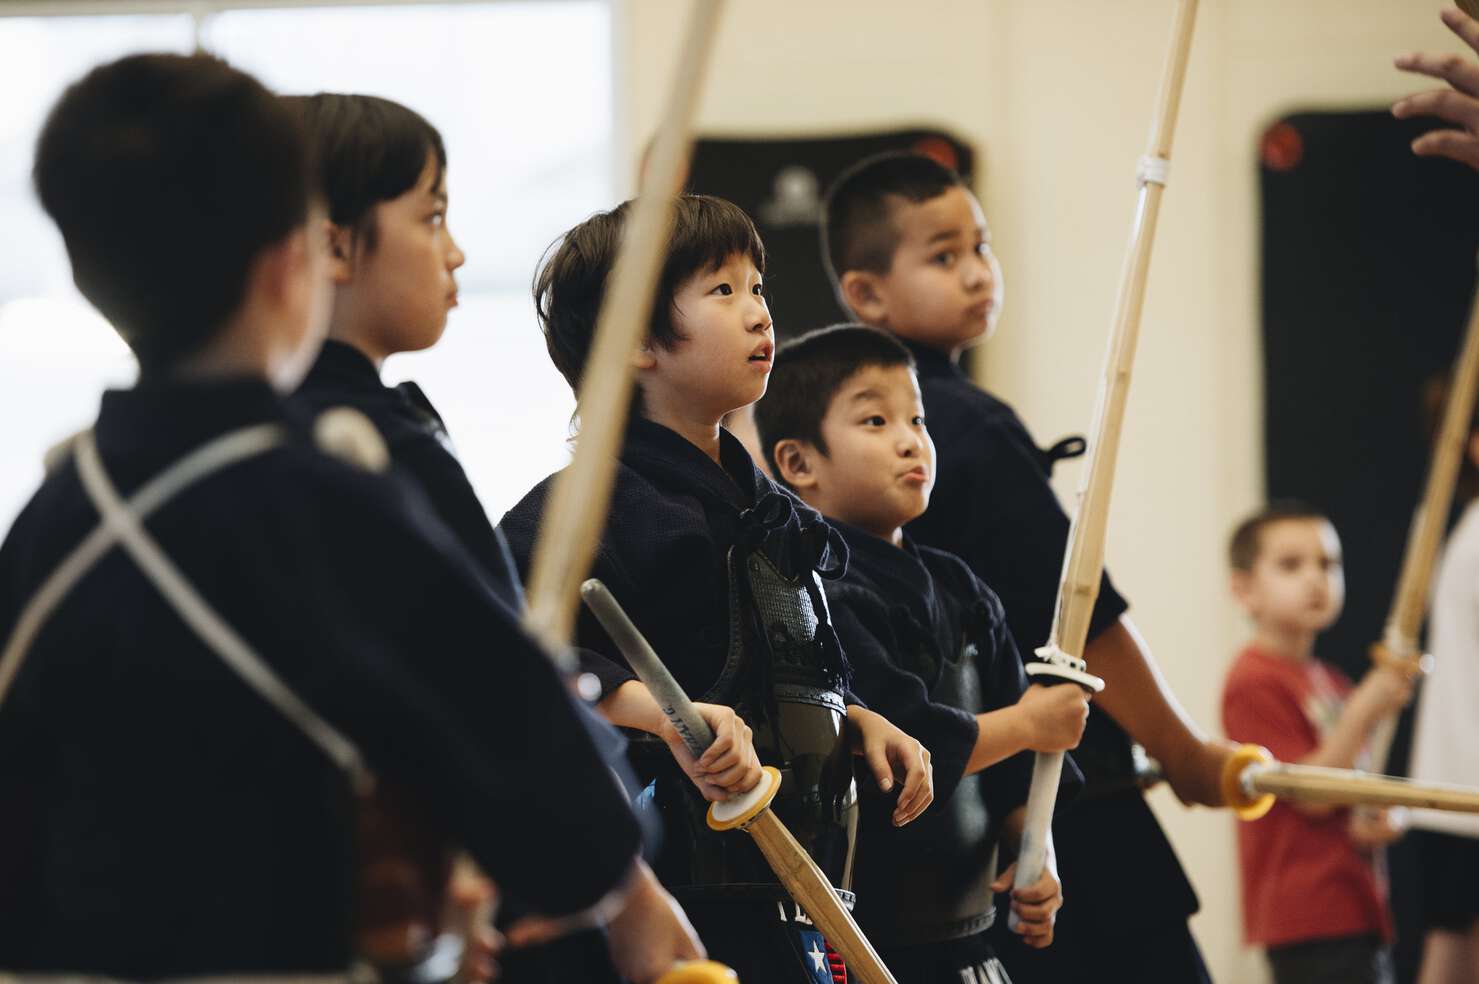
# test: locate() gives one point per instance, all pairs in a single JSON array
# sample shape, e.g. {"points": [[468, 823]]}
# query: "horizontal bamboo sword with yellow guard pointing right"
{"points": [[1252, 782]]}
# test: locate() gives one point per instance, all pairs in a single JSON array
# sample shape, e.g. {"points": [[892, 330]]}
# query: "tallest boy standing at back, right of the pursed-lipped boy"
{"points": [[909, 251]]}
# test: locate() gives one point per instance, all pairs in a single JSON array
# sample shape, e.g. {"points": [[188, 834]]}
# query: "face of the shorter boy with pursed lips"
{"points": [[879, 468]]}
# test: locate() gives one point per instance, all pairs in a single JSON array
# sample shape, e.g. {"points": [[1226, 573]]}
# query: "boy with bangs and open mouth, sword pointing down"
{"points": [[722, 572]]}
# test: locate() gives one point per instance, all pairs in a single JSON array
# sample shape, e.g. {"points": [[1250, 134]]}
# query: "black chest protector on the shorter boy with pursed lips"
{"points": [[931, 881]]}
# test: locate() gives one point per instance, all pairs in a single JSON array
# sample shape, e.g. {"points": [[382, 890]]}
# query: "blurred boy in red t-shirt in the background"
{"points": [[1313, 892]]}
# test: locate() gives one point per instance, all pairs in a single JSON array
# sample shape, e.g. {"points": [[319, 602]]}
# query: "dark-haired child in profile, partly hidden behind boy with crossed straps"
{"points": [[394, 261]]}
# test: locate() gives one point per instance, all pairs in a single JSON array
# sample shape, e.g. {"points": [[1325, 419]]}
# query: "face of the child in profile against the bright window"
{"points": [[396, 297]]}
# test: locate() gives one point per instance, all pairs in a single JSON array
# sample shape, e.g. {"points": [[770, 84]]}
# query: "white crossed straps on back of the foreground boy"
{"points": [[123, 526]]}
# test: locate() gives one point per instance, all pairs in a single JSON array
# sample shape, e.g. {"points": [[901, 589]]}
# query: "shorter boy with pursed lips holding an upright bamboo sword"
{"points": [[845, 428]]}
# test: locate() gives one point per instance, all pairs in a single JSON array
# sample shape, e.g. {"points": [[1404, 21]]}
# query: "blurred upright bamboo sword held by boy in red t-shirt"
{"points": [[1400, 643]]}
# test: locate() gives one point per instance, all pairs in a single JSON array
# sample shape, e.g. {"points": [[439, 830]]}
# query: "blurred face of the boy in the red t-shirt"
{"points": [[1298, 581]]}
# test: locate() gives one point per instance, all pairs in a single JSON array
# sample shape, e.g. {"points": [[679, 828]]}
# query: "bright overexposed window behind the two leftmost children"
{"points": [[523, 97]]}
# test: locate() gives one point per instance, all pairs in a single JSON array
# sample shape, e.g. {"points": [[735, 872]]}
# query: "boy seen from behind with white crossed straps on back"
{"points": [[187, 729]]}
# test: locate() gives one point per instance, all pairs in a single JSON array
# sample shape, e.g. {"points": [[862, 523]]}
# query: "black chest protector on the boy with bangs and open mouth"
{"points": [[785, 674]]}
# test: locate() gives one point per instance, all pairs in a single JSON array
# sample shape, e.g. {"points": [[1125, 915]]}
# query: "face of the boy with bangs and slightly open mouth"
{"points": [[727, 350]]}
